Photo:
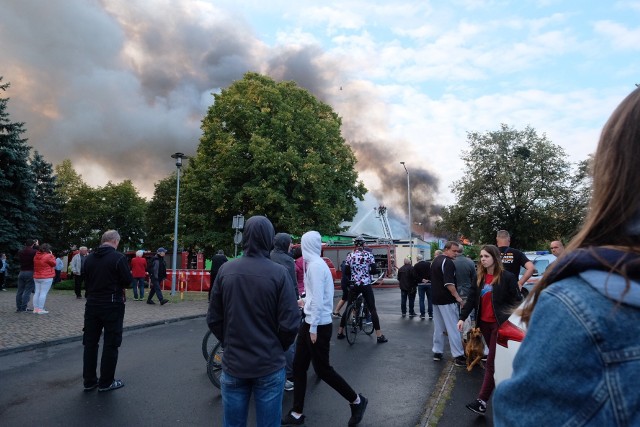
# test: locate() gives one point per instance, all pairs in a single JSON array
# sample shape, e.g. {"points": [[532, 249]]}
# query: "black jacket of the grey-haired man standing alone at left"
{"points": [[107, 274]]}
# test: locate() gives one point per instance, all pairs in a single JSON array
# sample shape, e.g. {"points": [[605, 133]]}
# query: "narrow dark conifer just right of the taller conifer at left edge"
{"points": [[48, 202]]}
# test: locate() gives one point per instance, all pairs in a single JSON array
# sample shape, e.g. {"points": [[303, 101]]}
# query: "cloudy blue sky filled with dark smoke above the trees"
{"points": [[117, 86]]}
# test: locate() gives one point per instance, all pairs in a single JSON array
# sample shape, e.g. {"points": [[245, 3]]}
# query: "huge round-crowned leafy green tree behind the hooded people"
{"points": [[271, 149]]}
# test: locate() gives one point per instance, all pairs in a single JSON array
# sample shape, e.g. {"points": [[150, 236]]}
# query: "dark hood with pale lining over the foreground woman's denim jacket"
{"points": [[594, 265]]}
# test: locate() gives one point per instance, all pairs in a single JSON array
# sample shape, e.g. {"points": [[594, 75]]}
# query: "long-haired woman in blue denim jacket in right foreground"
{"points": [[579, 363]]}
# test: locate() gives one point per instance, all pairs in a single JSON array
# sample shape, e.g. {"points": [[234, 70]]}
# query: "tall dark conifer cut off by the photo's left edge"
{"points": [[17, 184]]}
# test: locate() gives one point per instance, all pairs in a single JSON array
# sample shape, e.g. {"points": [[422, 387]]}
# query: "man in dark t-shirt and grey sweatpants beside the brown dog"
{"points": [[446, 305]]}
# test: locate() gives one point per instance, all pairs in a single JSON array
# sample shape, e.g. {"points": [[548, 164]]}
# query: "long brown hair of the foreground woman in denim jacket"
{"points": [[615, 199]]}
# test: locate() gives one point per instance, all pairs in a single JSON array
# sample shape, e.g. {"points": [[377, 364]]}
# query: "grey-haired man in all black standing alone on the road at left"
{"points": [[107, 275]]}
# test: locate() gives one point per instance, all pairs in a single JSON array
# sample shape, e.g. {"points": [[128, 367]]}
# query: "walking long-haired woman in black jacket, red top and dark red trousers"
{"points": [[494, 297]]}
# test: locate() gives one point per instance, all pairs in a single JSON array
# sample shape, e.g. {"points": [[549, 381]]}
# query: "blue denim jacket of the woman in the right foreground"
{"points": [[579, 364]]}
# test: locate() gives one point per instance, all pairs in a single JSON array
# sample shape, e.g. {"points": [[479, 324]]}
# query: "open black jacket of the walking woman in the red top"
{"points": [[505, 296]]}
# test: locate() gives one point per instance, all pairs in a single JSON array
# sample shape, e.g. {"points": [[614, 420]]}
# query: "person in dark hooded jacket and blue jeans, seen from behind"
{"points": [[254, 314]]}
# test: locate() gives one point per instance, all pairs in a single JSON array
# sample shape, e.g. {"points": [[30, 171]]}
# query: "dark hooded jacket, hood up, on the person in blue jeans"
{"points": [[253, 309]]}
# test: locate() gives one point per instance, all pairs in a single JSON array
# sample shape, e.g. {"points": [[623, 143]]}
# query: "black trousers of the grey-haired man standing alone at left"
{"points": [[96, 318]]}
